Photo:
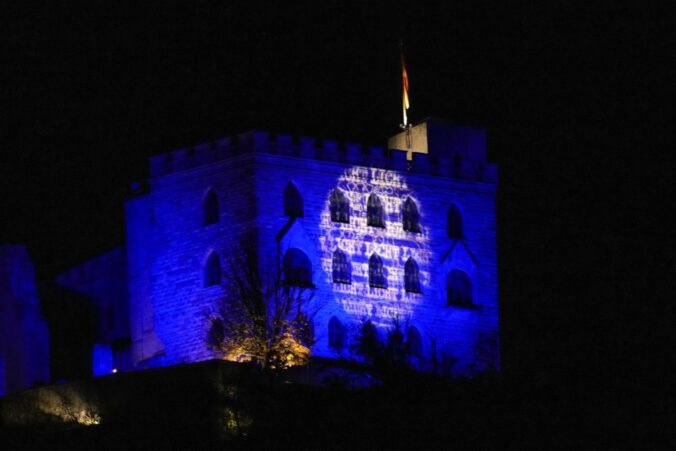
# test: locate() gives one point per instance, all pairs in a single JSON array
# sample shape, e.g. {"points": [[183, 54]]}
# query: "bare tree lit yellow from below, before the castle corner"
{"points": [[261, 317]]}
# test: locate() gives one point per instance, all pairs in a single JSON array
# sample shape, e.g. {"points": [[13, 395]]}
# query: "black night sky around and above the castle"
{"points": [[572, 99]]}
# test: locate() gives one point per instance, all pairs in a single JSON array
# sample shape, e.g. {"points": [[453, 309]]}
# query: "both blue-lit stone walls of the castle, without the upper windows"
{"points": [[168, 243]]}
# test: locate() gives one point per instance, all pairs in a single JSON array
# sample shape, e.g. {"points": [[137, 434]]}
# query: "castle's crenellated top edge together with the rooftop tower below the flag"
{"points": [[435, 149]]}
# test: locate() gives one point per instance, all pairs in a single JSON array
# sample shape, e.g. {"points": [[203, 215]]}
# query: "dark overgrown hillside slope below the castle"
{"points": [[229, 406]]}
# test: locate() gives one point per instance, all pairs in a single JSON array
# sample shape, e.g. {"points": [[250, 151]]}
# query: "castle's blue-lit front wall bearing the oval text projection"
{"points": [[452, 331]]}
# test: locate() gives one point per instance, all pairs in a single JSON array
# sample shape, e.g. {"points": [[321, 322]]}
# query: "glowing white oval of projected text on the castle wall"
{"points": [[359, 241]]}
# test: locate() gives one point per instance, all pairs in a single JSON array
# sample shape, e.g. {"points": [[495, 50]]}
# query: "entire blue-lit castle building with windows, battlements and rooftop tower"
{"points": [[406, 233]]}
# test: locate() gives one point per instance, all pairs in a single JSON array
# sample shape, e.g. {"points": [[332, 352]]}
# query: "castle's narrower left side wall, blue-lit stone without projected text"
{"points": [[168, 246]]}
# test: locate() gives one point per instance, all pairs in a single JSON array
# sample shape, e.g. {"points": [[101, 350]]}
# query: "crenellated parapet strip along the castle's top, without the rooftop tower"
{"points": [[453, 165]]}
